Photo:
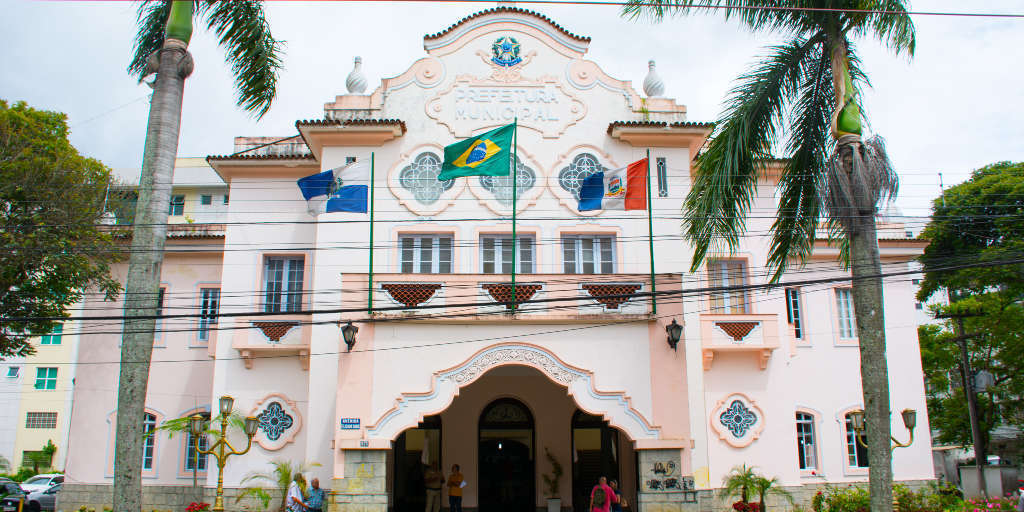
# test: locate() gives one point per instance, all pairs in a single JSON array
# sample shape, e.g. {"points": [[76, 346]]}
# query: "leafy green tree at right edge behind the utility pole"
{"points": [[978, 221]]}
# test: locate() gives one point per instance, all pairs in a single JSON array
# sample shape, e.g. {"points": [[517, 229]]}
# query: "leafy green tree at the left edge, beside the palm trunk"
{"points": [[52, 248]]}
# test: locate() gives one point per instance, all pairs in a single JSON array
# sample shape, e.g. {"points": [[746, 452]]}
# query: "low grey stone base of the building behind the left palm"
{"points": [[155, 498]]}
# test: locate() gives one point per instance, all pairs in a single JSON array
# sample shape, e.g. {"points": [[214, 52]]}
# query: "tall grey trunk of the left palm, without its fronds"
{"points": [[143, 287]]}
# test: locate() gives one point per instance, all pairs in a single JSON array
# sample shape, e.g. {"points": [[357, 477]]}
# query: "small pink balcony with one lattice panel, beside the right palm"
{"points": [[754, 334]]}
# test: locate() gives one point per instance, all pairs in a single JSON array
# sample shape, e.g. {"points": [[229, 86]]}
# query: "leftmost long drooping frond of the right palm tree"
{"points": [[727, 174]]}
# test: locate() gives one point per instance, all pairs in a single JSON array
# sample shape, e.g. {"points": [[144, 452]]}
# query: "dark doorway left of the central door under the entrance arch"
{"points": [[415, 451]]}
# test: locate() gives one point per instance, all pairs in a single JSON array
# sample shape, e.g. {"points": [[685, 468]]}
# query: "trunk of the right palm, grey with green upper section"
{"points": [[868, 303]]}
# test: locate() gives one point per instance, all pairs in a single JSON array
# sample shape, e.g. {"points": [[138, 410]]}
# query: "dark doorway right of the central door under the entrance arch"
{"points": [[595, 454]]}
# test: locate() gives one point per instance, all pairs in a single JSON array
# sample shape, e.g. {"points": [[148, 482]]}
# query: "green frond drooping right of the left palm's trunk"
{"points": [[252, 52]]}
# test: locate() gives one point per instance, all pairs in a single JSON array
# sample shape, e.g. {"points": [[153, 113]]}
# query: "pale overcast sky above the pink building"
{"points": [[956, 107]]}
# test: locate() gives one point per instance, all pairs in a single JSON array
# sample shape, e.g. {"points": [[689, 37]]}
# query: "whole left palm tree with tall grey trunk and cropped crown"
{"points": [[162, 48]]}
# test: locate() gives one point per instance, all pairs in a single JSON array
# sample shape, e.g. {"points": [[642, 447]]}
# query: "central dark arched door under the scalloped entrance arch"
{"points": [[506, 457]]}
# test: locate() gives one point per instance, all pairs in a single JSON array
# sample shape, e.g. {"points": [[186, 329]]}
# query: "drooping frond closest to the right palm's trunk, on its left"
{"points": [[800, 207]]}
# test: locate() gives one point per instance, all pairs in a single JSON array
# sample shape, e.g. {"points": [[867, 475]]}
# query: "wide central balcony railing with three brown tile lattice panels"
{"points": [[485, 296]]}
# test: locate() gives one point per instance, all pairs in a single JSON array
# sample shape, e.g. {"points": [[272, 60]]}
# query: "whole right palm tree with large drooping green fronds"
{"points": [[808, 86]]}
